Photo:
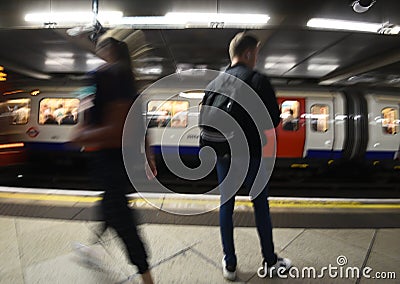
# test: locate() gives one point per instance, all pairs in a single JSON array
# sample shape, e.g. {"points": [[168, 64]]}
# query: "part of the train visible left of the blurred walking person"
{"points": [[36, 125]]}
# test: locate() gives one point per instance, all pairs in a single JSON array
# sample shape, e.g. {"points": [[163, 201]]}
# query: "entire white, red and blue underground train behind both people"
{"points": [[317, 125]]}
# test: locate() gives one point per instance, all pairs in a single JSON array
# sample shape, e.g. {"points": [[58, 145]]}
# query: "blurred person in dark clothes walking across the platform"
{"points": [[115, 93]]}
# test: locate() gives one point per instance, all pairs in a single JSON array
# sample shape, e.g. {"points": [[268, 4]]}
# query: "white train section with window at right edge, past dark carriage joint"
{"points": [[384, 137]]}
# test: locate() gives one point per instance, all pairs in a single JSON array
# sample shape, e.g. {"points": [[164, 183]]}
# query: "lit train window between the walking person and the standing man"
{"points": [[167, 113]]}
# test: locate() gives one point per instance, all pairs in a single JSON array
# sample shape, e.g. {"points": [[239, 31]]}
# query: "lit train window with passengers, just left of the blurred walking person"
{"points": [[61, 111]]}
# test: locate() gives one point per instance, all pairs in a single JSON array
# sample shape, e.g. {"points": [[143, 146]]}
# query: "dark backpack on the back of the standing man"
{"points": [[220, 96]]}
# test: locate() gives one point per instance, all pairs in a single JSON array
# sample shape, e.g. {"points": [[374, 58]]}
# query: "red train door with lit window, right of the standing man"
{"points": [[290, 133]]}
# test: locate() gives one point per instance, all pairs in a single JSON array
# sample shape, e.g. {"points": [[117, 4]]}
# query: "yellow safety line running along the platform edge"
{"points": [[273, 203]]}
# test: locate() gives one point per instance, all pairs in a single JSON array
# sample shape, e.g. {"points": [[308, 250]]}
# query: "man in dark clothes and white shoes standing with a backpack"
{"points": [[228, 120]]}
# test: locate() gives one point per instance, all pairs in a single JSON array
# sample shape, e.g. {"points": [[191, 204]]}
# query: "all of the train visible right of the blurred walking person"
{"points": [[318, 127]]}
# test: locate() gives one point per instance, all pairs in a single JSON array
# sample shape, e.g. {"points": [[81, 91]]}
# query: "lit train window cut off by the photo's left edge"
{"points": [[17, 110]]}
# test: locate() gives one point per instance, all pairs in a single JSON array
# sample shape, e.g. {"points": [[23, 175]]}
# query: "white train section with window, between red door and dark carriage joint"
{"points": [[320, 127]]}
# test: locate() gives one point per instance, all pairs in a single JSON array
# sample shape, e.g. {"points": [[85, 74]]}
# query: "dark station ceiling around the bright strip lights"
{"points": [[291, 52]]}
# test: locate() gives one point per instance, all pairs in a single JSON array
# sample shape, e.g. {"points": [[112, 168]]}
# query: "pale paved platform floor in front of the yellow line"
{"points": [[40, 250]]}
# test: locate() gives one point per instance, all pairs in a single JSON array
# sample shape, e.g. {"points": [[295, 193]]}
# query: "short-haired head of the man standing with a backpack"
{"points": [[244, 49]]}
